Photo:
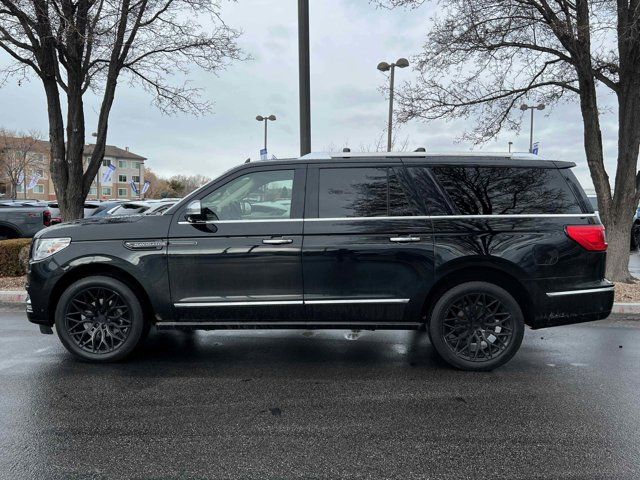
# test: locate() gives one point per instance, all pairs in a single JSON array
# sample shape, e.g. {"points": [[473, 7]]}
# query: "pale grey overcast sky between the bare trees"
{"points": [[348, 39]]}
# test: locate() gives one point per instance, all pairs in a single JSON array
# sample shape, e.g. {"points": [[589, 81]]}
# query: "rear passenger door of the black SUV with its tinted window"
{"points": [[368, 246]]}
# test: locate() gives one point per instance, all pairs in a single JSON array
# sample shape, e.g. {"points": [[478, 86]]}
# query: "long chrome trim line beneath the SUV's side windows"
{"points": [[407, 217]]}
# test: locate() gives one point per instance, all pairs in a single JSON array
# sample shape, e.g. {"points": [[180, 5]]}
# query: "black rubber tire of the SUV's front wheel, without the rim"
{"points": [[137, 319]]}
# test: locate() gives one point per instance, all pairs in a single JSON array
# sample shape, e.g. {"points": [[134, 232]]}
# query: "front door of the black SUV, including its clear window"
{"points": [[245, 262]]}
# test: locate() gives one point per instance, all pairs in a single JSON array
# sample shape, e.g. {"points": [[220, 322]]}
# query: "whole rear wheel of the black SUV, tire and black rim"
{"points": [[476, 326]]}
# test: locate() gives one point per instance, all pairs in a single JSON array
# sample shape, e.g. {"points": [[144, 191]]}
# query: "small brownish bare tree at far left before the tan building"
{"points": [[20, 154]]}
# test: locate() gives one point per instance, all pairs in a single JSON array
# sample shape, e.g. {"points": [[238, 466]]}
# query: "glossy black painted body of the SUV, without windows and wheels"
{"points": [[335, 272]]}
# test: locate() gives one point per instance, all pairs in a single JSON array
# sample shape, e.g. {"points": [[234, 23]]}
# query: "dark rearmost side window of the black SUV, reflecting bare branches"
{"points": [[507, 190]]}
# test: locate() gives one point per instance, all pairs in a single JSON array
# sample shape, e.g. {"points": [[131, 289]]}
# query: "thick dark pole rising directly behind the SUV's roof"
{"points": [[304, 77]]}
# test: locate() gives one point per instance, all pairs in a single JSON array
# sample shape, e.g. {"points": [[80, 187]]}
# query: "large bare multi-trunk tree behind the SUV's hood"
{"points": [[74, 46]]}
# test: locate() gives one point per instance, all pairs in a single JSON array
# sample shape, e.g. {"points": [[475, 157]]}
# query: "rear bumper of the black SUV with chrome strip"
{"points": [[564, 307]]}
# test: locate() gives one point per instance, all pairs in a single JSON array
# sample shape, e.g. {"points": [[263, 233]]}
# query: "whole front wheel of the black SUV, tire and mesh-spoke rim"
{"points": [[99, 319]]}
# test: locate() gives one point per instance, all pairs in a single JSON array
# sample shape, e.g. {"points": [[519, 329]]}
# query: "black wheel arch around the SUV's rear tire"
{"points": [[499, 273]]}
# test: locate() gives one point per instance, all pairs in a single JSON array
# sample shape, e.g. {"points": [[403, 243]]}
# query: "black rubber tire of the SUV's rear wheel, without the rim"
{"points": [[435, 327]]}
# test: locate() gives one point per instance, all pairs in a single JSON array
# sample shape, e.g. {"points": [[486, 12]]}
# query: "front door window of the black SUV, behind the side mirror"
{"points": [[256, 195]]}
